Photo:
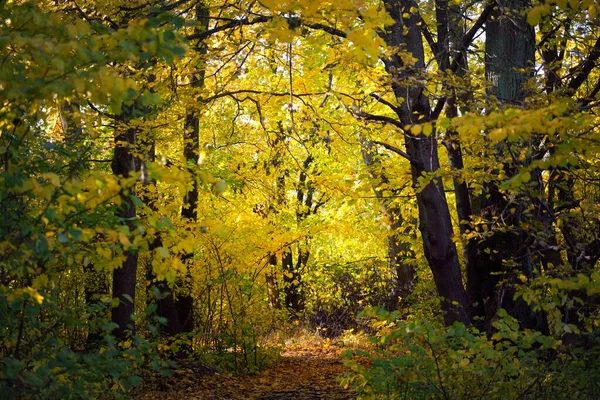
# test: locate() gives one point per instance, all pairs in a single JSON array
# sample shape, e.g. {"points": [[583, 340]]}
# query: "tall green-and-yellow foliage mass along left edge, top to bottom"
{"points": [[59, 226]]}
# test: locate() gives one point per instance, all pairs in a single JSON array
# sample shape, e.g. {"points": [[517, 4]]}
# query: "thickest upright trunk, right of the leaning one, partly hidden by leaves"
{"points": [[509, 56]]}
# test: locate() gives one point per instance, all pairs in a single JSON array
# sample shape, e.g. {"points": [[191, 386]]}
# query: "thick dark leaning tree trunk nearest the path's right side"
{"points": [[434, 216]]}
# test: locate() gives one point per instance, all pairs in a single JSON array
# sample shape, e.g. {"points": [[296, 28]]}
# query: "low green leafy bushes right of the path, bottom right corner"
{"points": [[421, 360]]}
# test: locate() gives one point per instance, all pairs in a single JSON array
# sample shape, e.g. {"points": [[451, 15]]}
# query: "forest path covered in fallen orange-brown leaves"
{"points": [[307, 370]]}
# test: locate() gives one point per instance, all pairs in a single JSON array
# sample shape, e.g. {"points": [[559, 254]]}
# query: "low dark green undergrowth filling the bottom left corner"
{"points": [[38, 363]]}
